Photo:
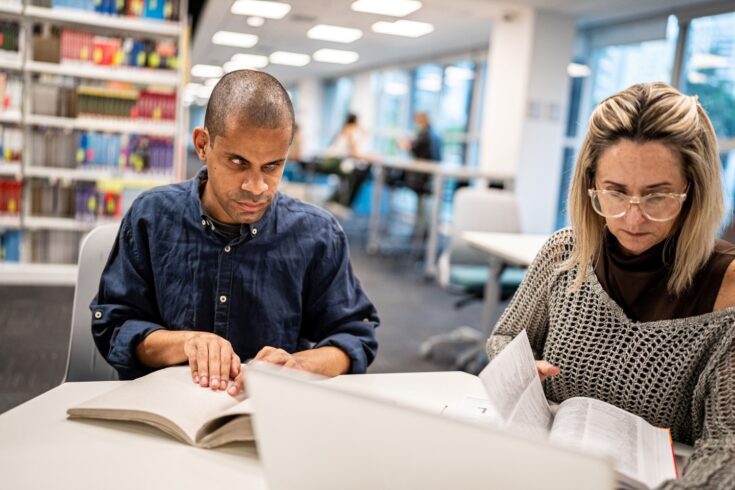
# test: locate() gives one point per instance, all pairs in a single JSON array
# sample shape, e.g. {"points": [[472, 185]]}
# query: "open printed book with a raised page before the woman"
{"points": [[641, 453]]}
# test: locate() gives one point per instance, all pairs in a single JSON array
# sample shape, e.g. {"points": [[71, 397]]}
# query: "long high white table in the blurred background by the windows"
{"points": [[440, 172]]}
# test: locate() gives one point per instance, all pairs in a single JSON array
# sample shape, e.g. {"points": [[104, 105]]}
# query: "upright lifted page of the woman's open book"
{"points": [[514, 389]]}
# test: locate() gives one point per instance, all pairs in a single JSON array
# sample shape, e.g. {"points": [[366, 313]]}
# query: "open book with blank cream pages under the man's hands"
{"points": [[169, 400]]}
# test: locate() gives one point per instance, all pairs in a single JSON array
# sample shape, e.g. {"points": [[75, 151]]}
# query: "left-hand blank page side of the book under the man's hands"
{"points": [[167, 398]]}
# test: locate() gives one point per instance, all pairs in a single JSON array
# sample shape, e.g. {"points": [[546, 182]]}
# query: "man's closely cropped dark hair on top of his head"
{"points": [[251, 97]]}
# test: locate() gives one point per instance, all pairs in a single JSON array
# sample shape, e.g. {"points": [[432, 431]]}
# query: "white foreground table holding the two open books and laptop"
{"points": [[41, 448]]}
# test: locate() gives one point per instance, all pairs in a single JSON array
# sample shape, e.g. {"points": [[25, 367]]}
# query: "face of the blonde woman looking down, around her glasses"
{"points": [[639, 169]]}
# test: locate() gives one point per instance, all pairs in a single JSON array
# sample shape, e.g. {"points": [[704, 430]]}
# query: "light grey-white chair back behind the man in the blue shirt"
{"points": [[84, 362]]}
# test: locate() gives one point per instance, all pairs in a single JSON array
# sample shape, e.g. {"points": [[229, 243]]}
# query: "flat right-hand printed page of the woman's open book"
{"points": [[639, 451]]}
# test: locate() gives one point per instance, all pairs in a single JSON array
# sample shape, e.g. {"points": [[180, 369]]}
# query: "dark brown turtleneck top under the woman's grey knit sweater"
{"points": [[638, 283]]}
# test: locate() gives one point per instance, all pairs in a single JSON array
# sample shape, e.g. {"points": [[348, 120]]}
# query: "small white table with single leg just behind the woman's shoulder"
{"points": [[502, 248]]}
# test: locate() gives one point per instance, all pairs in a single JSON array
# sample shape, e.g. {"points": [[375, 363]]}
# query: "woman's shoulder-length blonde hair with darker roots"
{"points": [[642, 113]]}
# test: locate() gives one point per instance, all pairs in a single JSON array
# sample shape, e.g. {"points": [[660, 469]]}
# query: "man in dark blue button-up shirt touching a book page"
{"points": [[223, 268]]}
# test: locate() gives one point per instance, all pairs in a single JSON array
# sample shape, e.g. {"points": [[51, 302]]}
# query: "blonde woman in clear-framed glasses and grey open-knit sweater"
{"points": [[634, 304]]}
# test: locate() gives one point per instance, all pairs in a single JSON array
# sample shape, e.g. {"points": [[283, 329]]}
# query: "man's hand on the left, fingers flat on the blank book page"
{"points": [[212, 361]]}
